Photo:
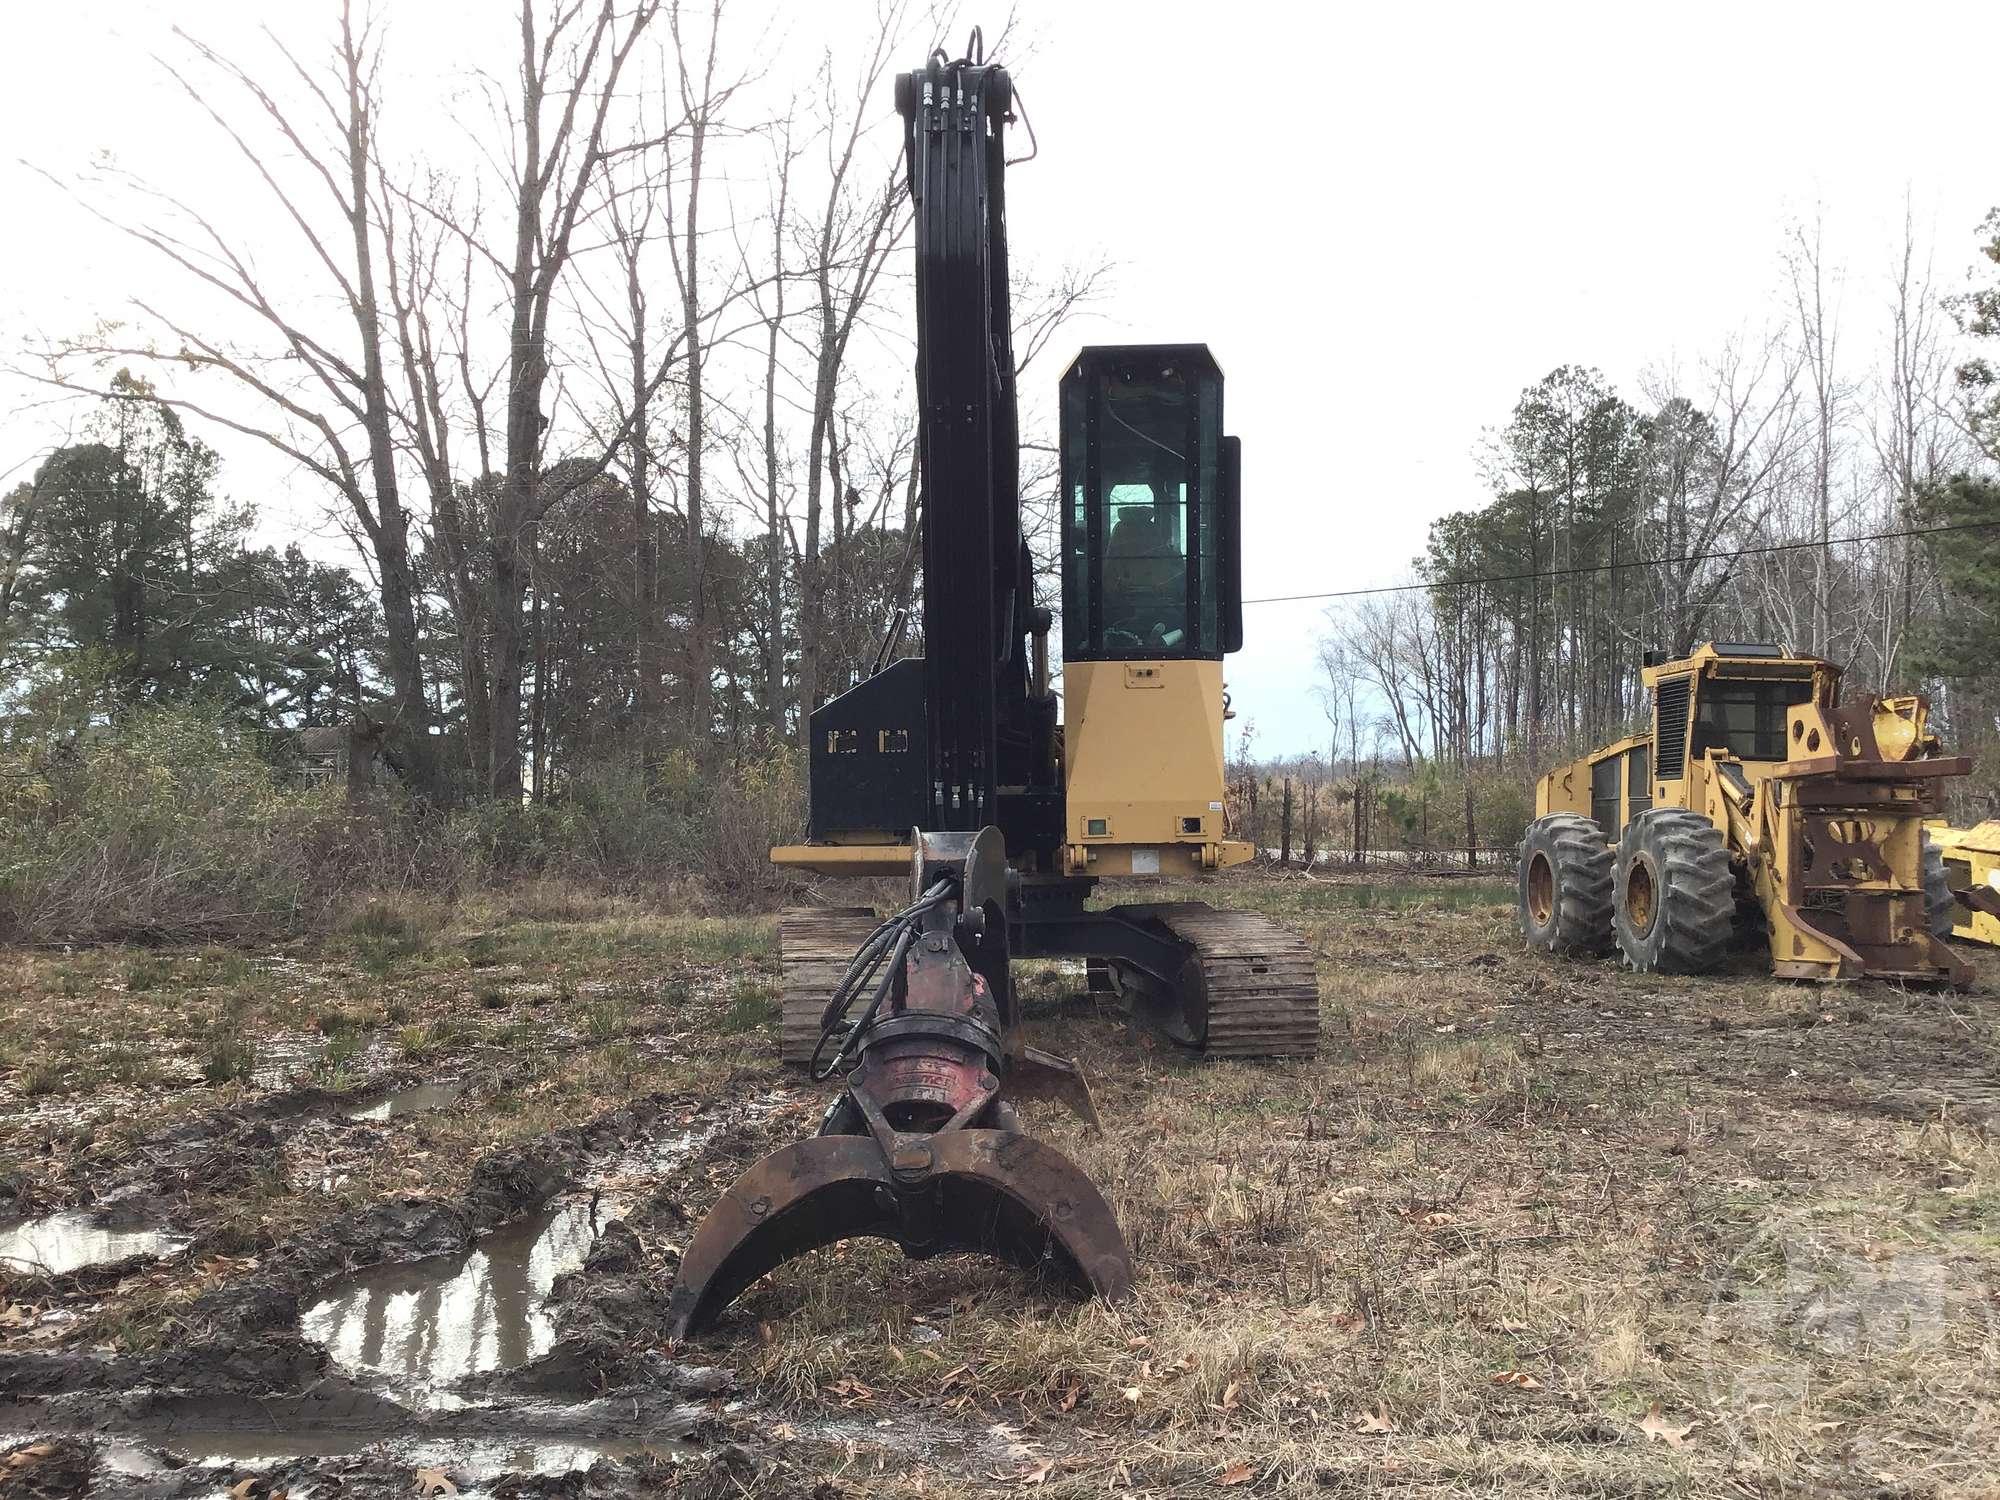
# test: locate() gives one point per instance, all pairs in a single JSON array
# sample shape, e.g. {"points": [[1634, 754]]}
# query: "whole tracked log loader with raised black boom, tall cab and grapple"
{"points": [[955, 769]]}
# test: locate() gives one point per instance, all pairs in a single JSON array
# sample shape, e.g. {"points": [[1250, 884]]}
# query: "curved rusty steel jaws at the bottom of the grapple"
{"points": [[985, 1191]]}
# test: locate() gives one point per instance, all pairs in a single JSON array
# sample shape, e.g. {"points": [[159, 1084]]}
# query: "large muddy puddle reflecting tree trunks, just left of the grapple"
{"points": [[433, 1323]]}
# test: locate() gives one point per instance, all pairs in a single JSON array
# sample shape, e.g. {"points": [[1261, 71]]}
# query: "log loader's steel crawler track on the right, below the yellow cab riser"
{"points": [[1263, 995]]}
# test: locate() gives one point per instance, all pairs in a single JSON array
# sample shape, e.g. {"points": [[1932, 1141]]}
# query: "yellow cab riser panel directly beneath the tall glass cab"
{"points": [[1143, 769]]}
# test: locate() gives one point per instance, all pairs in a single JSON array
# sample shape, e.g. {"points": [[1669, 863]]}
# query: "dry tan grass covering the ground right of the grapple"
{"points": [[1509, 1211]]}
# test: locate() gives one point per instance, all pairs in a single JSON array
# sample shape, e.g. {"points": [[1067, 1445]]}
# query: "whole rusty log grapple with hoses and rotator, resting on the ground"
{"points": [[923, 1145]]}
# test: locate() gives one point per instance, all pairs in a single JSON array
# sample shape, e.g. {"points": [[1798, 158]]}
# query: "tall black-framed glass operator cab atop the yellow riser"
{"points": [[1151, 561]]}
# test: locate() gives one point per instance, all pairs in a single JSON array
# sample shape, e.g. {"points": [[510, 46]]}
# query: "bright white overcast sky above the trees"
{"points": [[1385, 221]]}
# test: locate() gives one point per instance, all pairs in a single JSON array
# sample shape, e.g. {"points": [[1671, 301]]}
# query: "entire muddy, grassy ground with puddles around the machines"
{"points": [[399, 1211]]}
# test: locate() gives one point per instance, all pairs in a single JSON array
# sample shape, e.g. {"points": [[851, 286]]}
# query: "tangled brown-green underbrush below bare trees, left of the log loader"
{"points": [[169, 825]]}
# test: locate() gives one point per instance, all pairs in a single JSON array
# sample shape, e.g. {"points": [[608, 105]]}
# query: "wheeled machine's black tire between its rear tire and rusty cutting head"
{"points": [[1677, 897]]}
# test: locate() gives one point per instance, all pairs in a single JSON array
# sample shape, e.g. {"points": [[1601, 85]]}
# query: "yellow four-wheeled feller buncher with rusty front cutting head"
{"points": [[1761, 791]]}
